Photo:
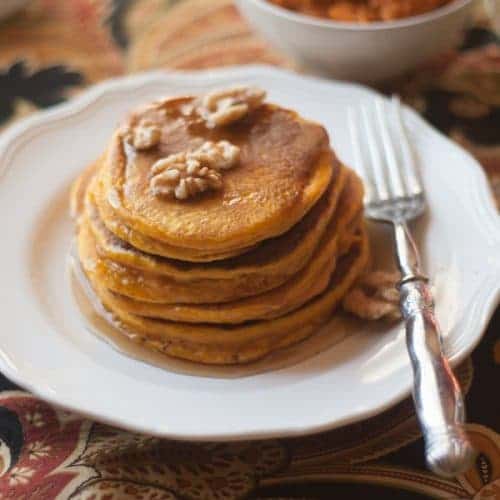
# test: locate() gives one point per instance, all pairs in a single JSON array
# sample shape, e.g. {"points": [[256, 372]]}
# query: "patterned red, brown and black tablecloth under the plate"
{"points": [[55, 48]]}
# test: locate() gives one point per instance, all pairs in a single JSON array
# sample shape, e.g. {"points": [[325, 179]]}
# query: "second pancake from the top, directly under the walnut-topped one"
{"points": [[271, 263]]}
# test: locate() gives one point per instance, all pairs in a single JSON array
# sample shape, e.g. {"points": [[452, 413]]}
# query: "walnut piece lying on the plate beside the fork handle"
{"points": [[374, 297]]}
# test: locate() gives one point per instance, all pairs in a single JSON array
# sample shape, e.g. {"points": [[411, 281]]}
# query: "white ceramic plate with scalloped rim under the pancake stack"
{"points": [[45, 347]]}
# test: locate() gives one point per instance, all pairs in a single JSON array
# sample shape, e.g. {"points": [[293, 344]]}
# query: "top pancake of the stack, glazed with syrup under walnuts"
{"points": [[279, 177]]}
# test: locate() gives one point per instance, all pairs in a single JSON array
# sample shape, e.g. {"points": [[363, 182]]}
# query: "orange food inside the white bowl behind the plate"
{"points": [[361, 10]]}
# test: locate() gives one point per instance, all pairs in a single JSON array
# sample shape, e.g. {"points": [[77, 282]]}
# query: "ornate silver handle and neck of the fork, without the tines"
{"points": [[436, 393]]}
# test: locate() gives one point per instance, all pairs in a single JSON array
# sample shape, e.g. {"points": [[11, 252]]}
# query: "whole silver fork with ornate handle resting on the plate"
{"points": [[394, 195]]}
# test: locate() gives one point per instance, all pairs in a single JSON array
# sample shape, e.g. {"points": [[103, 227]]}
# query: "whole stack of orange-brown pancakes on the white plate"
{"points": [[228, 275]]}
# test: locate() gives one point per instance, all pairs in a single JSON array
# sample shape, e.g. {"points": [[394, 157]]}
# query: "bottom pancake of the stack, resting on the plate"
{"points": [[230, 344]]}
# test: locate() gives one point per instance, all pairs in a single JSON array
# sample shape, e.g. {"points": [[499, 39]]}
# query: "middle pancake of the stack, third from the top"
{"points": [[156, 288]]}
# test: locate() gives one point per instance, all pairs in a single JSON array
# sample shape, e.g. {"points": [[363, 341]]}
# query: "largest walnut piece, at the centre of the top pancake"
{"points": [[184, 175]]}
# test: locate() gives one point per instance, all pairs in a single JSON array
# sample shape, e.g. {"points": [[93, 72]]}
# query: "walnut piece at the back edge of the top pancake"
{"points": [[223, 107]]}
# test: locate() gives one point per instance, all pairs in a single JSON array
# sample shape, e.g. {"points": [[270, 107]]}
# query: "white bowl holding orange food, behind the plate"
{"points": [[353, 51]]}
